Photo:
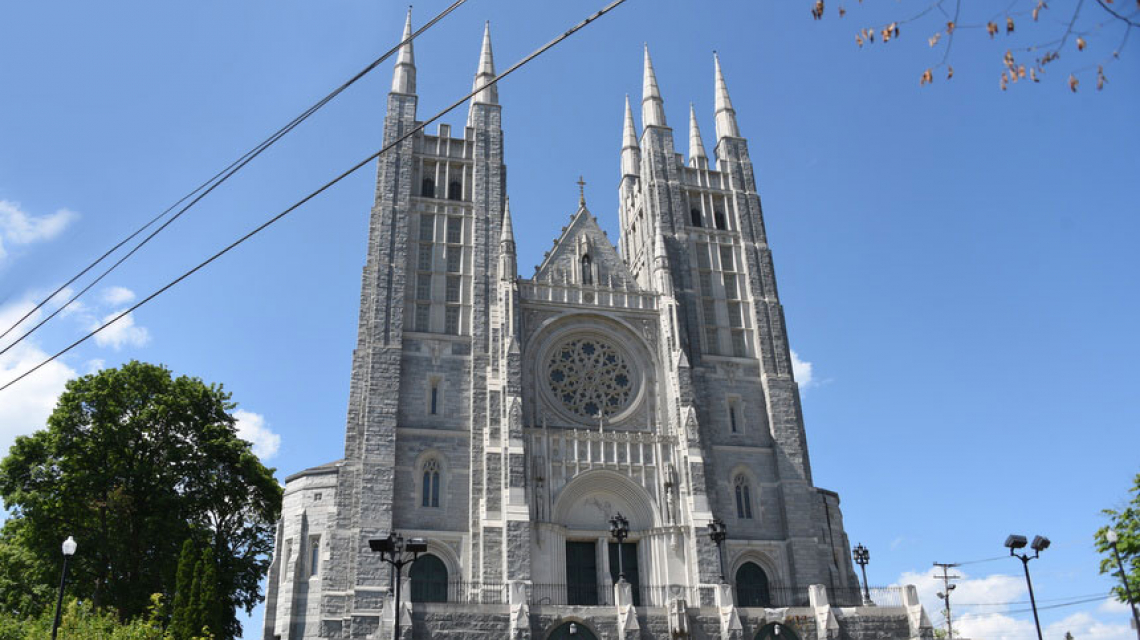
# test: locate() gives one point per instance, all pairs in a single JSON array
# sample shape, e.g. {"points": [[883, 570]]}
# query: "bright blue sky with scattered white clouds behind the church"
{"points": [[957, 263]]}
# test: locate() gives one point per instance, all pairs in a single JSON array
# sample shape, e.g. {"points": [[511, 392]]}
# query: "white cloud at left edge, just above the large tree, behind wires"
{"points": [[26, 407]]}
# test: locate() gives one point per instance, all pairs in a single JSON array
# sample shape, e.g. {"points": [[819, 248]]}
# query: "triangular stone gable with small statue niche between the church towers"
{"points": [[584, 238]]}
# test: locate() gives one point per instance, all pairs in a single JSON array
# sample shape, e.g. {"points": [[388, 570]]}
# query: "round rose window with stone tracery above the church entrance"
{"points": [[591, 377]]}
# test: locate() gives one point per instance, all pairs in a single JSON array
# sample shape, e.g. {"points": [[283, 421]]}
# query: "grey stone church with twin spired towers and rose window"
{"points": [[507, 420]]}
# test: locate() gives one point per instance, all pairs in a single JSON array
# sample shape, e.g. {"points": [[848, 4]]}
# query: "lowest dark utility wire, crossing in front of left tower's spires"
{"points": [[324, 188]]}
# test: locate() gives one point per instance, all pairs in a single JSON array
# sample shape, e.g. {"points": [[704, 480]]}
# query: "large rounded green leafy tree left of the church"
{"points": [[134, 463]]}
